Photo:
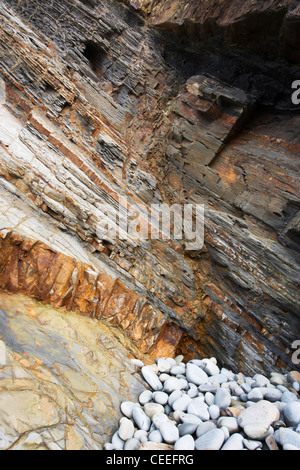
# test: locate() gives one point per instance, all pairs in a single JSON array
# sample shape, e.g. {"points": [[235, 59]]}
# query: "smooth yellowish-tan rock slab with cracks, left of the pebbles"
{"points": [[62, 378]]}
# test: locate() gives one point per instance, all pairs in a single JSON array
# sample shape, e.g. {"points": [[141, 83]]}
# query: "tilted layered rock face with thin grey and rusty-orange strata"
{"points": [[107, 105]]}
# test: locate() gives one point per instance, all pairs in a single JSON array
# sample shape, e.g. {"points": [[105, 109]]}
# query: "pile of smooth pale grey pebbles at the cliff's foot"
{"points": [[197, 406]]}
